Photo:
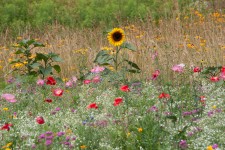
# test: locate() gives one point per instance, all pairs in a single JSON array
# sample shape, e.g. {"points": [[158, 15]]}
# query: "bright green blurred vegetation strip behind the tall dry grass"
{"points": [[18, 14]]}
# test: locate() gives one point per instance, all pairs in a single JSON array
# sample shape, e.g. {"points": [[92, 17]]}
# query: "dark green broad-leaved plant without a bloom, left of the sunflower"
{"points": [[39, 64]]}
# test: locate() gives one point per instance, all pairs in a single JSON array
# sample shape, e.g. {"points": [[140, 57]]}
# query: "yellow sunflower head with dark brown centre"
{"points": [[116, 37]]}
